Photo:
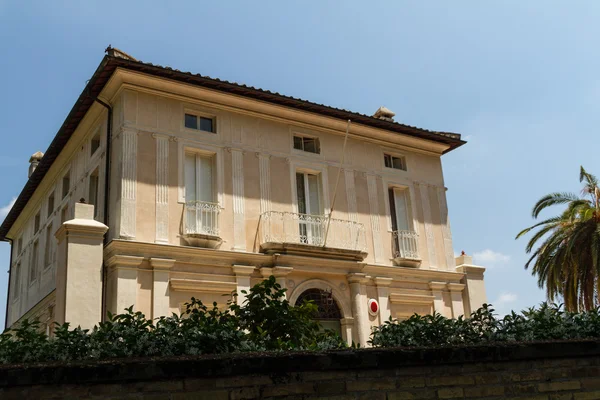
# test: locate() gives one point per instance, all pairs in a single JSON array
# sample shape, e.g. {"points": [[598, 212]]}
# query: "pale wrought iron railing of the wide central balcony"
{"points": [[304, 229]]}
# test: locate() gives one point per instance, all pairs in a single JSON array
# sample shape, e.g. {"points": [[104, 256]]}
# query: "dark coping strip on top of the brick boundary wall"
{"points": [[212, 366]]}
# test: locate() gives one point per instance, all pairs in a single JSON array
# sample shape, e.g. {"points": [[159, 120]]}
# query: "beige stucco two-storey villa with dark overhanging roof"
{"points": [[211, 186]]}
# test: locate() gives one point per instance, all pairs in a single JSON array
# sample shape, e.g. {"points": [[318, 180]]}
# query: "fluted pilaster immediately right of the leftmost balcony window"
{"points": [[239, 223]]}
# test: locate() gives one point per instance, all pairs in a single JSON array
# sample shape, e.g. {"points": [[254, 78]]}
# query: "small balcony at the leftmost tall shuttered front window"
{"points": [[201, 224]]}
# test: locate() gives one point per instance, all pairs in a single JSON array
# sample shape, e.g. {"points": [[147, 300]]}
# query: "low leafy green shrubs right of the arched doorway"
{"points": [[548, 322]]}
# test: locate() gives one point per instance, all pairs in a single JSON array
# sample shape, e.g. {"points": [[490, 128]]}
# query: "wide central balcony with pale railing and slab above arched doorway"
{"points": [[303, 234]]}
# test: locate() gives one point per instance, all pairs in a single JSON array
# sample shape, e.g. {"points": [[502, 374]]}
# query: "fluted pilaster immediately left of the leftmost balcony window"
{"points": [[162, 188]]}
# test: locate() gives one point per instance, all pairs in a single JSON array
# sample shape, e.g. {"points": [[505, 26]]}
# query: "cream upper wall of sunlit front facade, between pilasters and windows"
{"points": [[152, 114]]}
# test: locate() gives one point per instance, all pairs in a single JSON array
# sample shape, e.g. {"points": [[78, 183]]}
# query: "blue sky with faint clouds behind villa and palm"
{"points": [[520, 80]]}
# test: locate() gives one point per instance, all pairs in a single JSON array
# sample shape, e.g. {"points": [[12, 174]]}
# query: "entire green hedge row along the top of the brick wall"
{"points": [[268, 322]]}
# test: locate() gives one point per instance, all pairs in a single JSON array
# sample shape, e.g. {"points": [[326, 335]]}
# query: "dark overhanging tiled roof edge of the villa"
{"points": [[112, 61]]}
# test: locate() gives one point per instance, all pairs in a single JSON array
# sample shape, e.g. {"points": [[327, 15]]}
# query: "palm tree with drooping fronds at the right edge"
{"points": [[567, 258]]}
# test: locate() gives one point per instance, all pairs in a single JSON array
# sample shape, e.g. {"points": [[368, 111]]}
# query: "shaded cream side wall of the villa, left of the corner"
{"points": [[77, 160]]}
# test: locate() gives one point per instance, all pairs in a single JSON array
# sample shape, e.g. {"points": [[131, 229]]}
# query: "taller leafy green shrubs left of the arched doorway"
{"points": [[266, 321]]}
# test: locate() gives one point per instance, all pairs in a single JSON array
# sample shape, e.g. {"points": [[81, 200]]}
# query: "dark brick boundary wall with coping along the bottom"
{"points": [[557, 370]]}
